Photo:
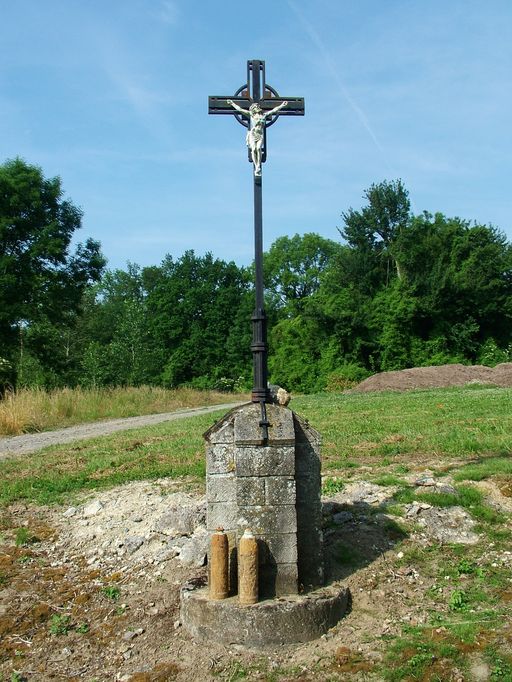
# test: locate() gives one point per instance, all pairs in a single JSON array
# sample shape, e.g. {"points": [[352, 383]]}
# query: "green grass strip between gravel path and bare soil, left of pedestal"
{"points": [[174, 449]]}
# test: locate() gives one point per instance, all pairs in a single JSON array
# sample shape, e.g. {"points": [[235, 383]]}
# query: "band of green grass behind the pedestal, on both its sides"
{"points": [[452, 423]]}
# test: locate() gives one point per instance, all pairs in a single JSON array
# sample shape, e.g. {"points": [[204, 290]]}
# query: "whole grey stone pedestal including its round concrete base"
{"points": [[273, 488]]}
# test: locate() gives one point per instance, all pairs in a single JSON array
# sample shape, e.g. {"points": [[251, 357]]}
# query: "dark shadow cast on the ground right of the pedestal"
{"points": [[355, 535]]}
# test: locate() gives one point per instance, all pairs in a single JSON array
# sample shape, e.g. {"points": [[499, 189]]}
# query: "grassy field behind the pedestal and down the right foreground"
{"points": [[464, 591]]}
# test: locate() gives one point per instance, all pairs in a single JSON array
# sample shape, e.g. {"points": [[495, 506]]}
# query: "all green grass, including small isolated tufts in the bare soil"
{"points": [[467, 600]]}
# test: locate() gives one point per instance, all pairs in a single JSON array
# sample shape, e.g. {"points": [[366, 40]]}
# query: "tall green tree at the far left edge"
{"points": [[41, 280]]}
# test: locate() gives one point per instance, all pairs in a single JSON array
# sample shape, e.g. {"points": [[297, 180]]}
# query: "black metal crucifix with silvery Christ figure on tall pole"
{"points": [[257, 106]]}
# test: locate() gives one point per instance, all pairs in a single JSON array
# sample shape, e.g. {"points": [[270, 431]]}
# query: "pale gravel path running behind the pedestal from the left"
{"points": [[31, 442]]}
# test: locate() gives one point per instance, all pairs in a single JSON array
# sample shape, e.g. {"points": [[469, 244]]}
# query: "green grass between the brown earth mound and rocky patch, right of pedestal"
{"points": [[455, 422]]}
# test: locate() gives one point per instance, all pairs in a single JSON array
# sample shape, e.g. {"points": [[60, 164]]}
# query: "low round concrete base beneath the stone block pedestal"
{"points": [[285, 620]]}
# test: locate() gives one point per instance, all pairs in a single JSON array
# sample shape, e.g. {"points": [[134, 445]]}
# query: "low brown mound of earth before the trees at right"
{"points": [[438, 377]]}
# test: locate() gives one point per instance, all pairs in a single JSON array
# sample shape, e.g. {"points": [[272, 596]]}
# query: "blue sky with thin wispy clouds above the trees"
{"points": [[112, 96]]}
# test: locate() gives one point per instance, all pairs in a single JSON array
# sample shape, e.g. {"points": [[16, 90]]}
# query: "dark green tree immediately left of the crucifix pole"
{"points": [[197, 306]]}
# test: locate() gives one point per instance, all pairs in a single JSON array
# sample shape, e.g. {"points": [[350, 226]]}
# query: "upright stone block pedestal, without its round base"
{"points": [[271, 487]]}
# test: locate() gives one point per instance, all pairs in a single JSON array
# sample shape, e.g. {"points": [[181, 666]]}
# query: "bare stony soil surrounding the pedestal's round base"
{"points": [[85, 599]]}
